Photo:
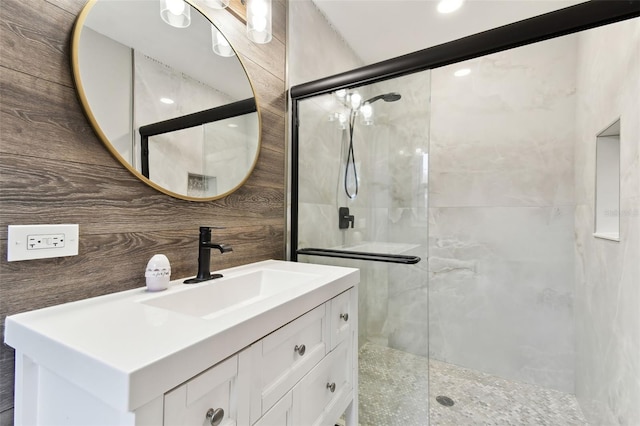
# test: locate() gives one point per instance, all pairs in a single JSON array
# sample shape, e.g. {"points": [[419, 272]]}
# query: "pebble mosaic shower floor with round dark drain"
{"points": [[392, 396]]}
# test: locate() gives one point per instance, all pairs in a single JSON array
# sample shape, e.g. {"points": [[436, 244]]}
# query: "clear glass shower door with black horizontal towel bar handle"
{"points": [[362, 189]]}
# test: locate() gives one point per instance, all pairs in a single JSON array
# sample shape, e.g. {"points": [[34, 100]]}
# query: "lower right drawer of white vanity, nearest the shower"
{"points": [[326, 391]]}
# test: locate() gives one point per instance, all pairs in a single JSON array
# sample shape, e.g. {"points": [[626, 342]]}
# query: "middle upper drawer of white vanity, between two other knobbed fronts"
{"points": [[283, 357]]}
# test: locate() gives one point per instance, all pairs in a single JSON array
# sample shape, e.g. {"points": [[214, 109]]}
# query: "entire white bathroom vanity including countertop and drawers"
{"points": [[285, 359]]}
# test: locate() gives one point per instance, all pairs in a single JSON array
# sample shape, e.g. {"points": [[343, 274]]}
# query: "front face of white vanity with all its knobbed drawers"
{"points": [[290, 377]]}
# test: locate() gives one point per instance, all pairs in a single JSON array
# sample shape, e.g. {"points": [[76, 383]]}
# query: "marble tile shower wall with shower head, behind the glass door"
{"points": [[390, 207]]}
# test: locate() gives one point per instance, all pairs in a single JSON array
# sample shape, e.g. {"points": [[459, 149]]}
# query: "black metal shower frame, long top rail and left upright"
{"points": [[583, 16]]}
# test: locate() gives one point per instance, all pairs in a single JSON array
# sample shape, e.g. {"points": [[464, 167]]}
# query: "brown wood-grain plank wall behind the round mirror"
{"points": [[53, 169]]}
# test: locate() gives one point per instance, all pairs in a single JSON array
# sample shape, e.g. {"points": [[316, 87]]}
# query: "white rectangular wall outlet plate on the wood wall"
{"points": [[26, 242]]}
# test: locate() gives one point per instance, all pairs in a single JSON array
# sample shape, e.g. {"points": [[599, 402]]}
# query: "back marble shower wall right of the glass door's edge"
{"points": [[501, 214]]}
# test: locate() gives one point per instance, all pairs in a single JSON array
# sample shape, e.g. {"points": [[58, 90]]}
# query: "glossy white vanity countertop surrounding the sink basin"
{"points": [[126, 352]]}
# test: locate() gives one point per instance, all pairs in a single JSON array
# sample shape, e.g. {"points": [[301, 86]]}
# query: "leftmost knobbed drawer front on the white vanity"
{"points": [[215, 388]]}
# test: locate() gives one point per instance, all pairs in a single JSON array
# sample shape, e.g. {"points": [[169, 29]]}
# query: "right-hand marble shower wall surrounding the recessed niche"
{"points": [[608, 272]]}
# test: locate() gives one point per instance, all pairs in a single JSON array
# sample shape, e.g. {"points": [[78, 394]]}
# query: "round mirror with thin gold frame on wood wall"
{"points": [[168, 96]]}
